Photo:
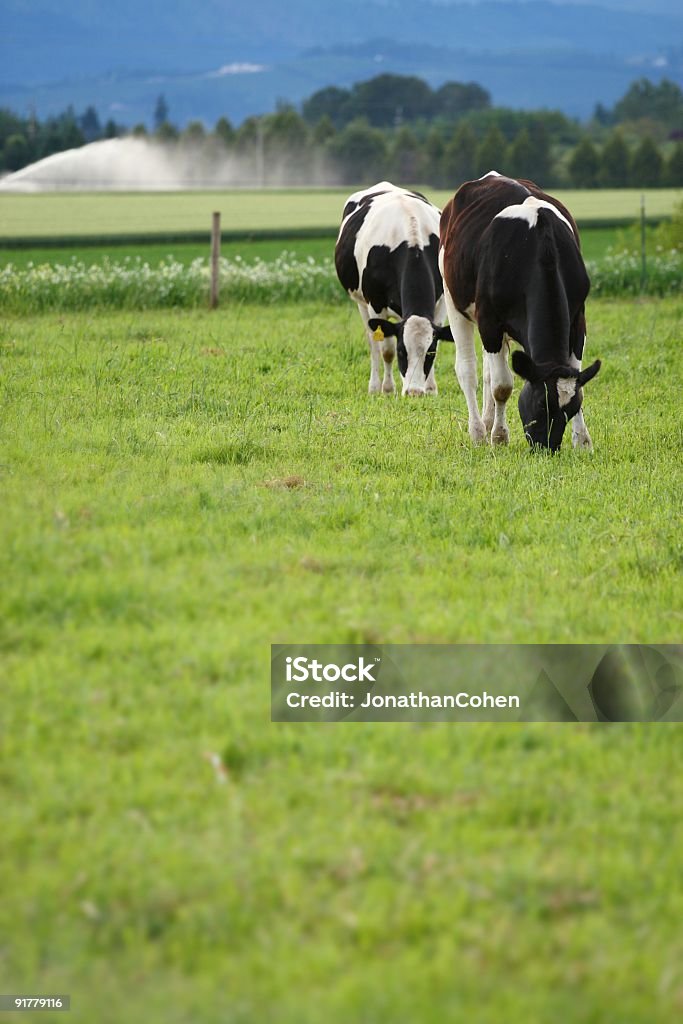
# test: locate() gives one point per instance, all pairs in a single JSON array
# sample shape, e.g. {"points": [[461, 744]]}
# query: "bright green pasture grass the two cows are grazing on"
{"points": [[183, 489]]}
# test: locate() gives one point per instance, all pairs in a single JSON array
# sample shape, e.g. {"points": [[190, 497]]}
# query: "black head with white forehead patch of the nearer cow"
{"points": [[549, 399]]}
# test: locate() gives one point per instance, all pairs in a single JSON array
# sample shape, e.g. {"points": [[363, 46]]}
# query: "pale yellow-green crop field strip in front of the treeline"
{"points": [[112, 215]]}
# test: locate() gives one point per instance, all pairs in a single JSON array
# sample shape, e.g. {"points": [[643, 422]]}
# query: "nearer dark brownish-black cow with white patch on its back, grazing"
{"points": [[511, 263]]}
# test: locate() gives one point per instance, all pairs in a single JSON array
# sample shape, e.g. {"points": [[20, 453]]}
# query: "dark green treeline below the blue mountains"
{"points": [[398, 127]]}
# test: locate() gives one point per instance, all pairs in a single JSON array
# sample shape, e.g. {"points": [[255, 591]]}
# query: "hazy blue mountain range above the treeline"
{"points": [[227, 58]]}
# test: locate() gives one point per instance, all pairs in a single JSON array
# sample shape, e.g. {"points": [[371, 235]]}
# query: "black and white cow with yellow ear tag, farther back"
{"points": [[388, 260]]}
